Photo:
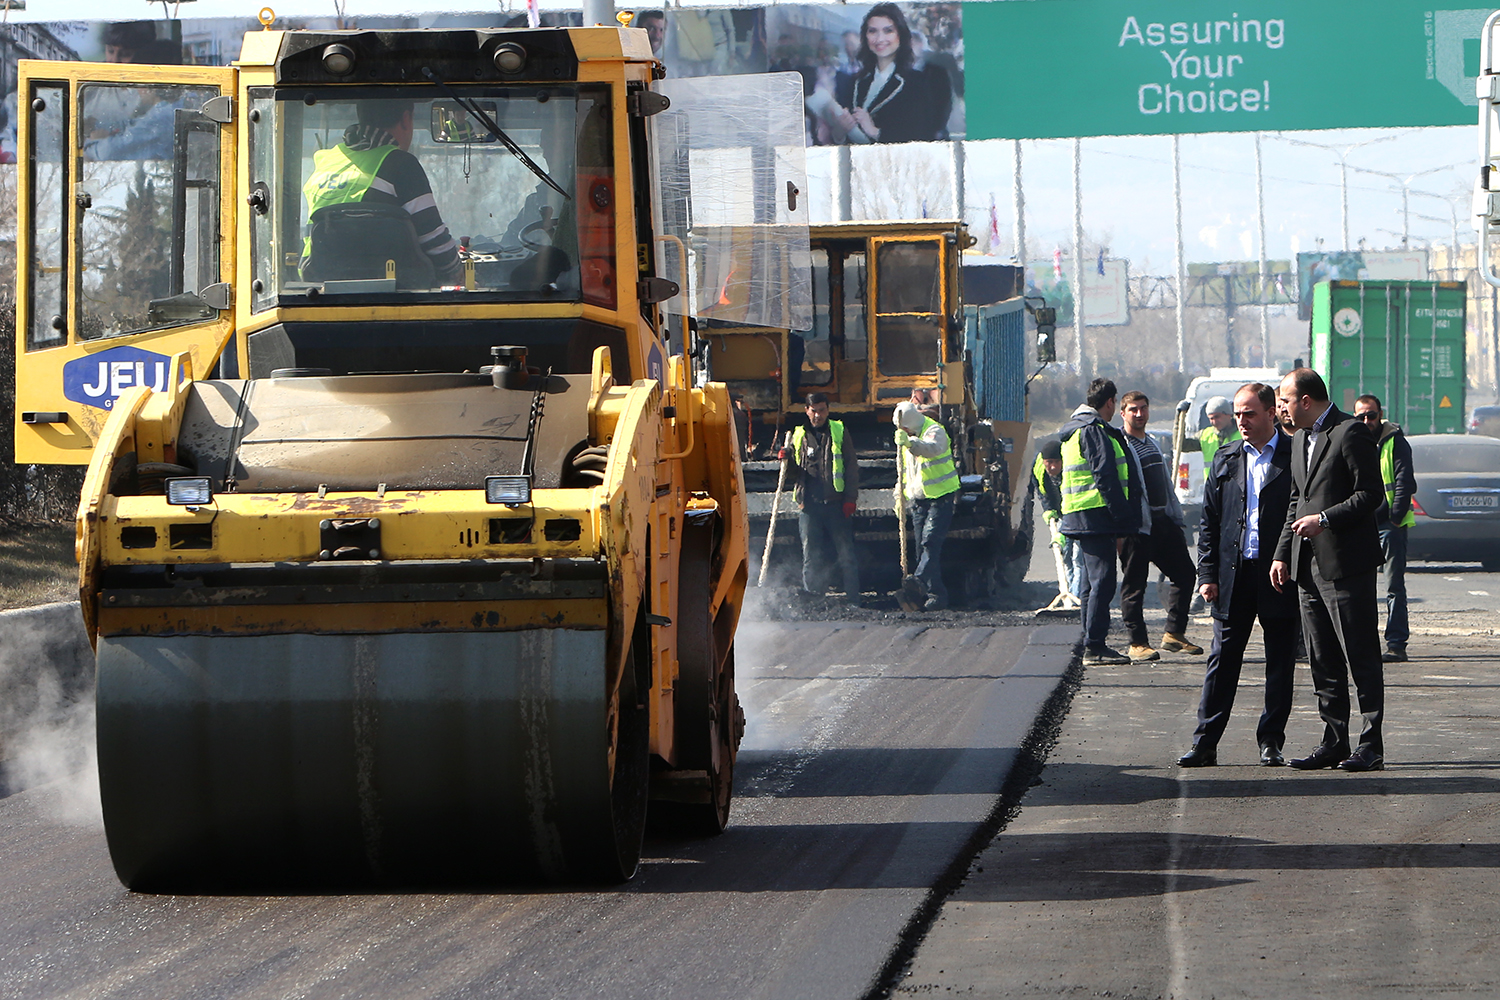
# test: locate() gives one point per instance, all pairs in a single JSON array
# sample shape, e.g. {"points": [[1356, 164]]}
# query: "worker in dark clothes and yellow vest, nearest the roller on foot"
{"points": [[827, 494]]}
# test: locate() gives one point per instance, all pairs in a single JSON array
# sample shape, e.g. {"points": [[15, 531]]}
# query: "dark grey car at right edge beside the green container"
{"points": [[1457, 500]]}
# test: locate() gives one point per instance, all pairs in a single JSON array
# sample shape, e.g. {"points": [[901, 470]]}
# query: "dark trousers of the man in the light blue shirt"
{"points": [[1228, 657]]}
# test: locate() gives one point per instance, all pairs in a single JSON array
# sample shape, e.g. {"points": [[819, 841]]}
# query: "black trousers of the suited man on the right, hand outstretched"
{"points": [[1343, 636]]}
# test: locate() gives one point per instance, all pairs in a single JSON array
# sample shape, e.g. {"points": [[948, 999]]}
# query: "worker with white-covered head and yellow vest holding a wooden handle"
{"points": [[932, 490]]}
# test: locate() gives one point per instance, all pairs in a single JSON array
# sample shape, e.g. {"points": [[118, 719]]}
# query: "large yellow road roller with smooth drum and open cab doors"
{"points": [[410, 557]]}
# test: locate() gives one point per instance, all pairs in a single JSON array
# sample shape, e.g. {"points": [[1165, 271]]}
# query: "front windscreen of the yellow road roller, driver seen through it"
{"points": [[416, 194]]}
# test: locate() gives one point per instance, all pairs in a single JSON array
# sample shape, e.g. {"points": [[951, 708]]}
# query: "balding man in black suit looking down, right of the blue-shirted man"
{"points": [[1331, 548]]}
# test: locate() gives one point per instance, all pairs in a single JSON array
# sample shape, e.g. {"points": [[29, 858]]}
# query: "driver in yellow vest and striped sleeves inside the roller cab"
{"points": [[374, 166]]}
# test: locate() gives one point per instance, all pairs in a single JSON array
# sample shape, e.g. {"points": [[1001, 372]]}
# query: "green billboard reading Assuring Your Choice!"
{"points": [[1180, 67]]}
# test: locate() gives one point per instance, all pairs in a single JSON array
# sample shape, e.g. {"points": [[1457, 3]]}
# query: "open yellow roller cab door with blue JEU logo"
{"points": [[124, 215]]}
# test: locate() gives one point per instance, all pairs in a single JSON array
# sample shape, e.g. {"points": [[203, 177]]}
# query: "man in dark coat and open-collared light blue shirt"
{"points": [[1246, 501]]}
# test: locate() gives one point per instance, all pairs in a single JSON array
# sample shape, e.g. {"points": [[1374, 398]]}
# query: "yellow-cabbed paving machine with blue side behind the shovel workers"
{"points": [[889, 320]]}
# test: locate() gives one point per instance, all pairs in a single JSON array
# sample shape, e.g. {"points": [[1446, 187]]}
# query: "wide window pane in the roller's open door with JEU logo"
{"points": [[149, 208]]}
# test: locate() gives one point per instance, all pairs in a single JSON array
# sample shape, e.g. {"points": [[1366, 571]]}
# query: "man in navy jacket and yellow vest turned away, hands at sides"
{"points": [[1102, 504]]}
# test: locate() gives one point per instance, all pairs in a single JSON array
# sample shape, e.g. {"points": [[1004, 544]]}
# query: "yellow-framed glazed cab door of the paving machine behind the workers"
{"points": [[908, 322]]}
